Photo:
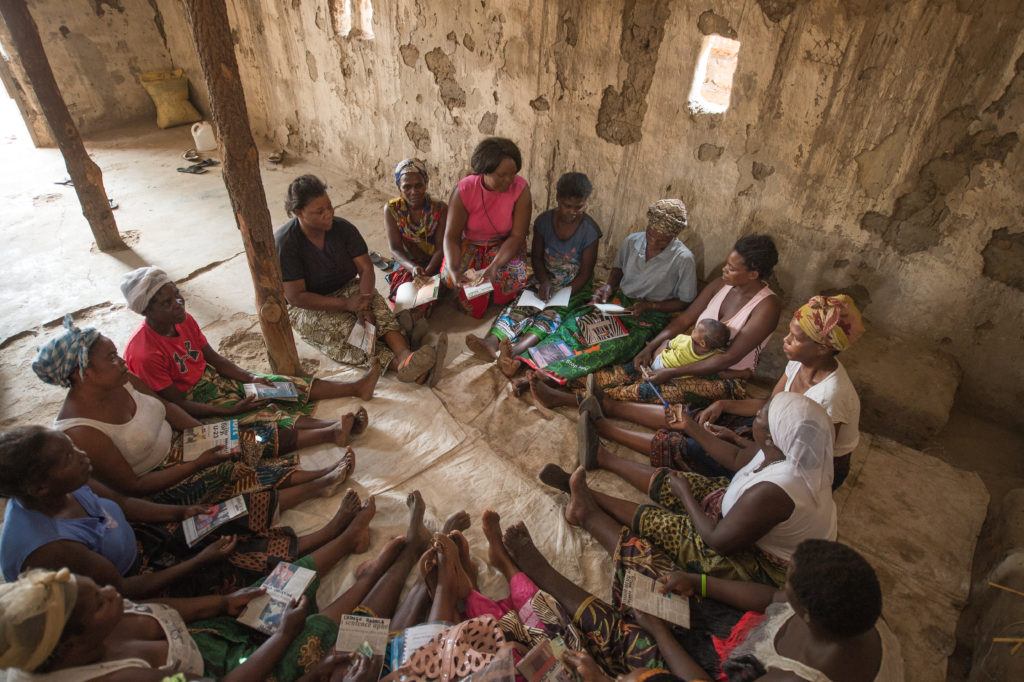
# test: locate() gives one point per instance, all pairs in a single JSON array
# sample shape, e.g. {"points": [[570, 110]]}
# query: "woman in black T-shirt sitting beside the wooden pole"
{"points": [[329, 284]]}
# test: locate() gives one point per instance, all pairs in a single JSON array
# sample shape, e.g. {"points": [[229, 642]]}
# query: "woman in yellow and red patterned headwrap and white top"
{"points": [[819, 331]]}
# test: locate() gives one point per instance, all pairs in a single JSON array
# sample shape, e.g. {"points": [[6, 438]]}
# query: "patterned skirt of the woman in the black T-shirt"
{"points": [[328, 331]]}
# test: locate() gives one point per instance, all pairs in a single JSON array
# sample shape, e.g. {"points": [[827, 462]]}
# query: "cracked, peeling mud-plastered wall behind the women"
{"points": [[878, 142]]}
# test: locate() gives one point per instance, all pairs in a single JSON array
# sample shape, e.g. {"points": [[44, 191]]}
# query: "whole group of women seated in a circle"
{"points": [[741, 517]]}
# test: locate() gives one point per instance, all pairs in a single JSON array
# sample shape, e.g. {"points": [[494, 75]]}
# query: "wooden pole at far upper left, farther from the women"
{"points": [[84, 173]]}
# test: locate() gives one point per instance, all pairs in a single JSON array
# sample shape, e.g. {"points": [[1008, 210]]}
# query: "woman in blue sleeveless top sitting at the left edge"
{"points": [[57, 517]]}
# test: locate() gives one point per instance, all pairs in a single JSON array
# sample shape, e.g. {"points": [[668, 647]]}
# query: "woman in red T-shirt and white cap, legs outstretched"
{"points": [[170, 354]]}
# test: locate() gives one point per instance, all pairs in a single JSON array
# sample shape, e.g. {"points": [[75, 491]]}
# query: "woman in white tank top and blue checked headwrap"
{"points": [[130, 433]]}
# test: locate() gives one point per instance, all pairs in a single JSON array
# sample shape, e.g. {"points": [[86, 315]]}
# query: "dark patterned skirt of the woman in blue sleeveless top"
{"points": [[260, 549]]}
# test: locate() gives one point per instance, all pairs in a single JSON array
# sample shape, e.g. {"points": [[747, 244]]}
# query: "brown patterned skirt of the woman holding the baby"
{"points": [[624, 382]]}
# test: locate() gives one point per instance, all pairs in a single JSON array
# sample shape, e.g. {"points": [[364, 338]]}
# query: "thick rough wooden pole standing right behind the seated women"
{"points": [[212, 35]]}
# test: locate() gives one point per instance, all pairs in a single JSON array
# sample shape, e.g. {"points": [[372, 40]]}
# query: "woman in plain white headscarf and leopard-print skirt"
{"points": [[747, 529]]}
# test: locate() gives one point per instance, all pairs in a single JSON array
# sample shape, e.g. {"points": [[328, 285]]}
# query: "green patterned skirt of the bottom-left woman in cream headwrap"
{"points": [[226, 644]]}
